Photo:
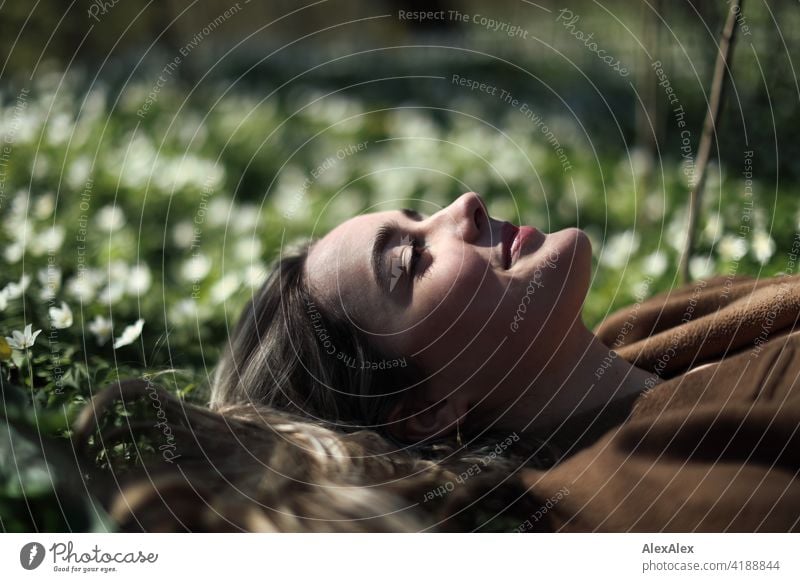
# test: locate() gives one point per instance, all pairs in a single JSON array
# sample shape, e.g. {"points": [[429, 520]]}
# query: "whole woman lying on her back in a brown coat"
{"points": [[413, 372]]}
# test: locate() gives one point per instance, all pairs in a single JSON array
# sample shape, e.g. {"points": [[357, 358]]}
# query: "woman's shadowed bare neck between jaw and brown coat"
{"points": [[583, 375]]}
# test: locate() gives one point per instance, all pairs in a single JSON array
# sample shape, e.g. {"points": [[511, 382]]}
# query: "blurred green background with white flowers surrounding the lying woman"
{"points": [[155, 157]]}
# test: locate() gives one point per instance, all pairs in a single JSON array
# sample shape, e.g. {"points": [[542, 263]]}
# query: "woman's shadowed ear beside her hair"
{"points": [[415, 421]]}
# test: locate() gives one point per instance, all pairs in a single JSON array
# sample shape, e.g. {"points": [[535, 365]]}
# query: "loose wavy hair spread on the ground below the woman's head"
{"points": [[248, 467]]}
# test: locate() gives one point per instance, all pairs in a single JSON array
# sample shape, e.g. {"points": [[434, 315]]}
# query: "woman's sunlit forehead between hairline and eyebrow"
{"points": [[338, 266]]}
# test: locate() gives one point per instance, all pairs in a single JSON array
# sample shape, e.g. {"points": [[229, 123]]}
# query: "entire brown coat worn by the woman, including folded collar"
{"points": [[714, 448]]}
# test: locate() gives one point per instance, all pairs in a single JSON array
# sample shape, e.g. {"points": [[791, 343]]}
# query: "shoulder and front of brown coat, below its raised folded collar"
{"points": [[713, 450]]}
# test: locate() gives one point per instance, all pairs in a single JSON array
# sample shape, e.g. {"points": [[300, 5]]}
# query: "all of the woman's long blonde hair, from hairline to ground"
{"points": [[295, 440]]}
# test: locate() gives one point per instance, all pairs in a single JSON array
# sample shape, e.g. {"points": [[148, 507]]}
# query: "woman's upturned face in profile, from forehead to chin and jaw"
{"points": [[453, 302]]}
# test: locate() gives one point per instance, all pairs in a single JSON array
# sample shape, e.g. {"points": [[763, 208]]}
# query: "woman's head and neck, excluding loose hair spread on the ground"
{"points": [[418, 326]]}
